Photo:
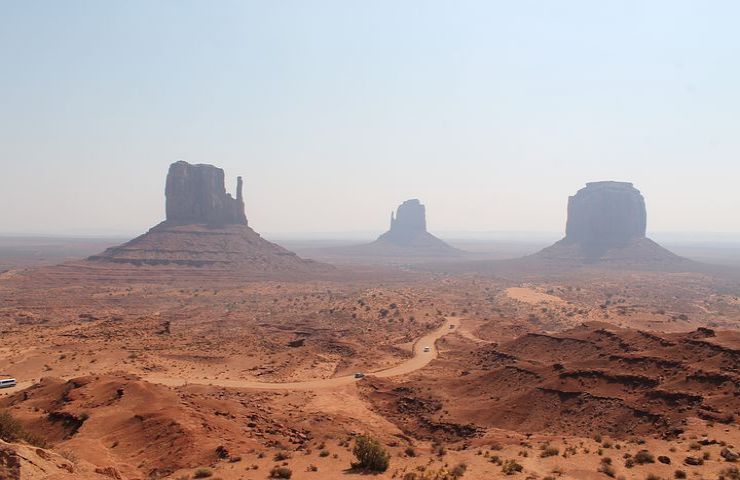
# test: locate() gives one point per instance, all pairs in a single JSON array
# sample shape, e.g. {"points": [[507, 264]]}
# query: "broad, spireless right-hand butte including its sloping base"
{"points": [[607, 222]]}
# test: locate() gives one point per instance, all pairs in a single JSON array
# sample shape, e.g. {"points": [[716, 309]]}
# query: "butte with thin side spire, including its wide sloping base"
{"points": [[205, 227]]}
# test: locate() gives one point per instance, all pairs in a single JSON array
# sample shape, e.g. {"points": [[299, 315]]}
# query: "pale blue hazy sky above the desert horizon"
{"points": [[490, 112]]}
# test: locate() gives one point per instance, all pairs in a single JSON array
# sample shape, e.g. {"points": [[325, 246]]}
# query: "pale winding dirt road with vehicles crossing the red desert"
{"points": [[419, 360]]}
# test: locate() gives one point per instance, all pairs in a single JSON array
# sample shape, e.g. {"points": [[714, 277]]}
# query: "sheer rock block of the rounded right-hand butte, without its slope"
{"points": [[606, 213]]}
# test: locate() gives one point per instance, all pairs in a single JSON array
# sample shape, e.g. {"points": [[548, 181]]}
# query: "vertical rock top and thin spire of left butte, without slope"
{"points": [[196, 194]]}
